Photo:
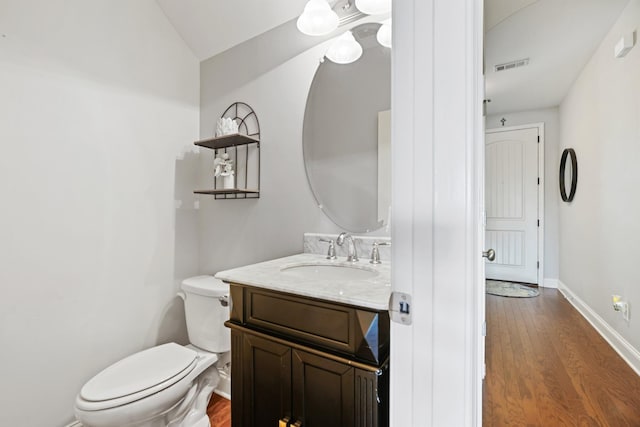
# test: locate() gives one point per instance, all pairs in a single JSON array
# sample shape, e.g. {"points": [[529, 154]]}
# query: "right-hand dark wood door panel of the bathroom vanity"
{"points": [[323, 391]]}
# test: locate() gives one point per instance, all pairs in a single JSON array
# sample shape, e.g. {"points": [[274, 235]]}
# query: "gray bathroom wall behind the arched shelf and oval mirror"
{"points": [[274, 79]]}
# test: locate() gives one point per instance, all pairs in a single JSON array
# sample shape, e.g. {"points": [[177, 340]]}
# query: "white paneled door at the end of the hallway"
{"points": [[511, 203]]}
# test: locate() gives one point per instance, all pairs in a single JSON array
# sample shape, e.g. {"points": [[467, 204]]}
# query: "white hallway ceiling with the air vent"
{"points": [[558, 37]]}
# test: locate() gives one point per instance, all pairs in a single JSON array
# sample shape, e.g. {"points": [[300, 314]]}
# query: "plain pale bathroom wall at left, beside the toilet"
{"points": [[97, 100]]}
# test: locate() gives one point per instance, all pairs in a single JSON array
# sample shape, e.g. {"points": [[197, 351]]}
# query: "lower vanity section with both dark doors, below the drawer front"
{"points": [[276, 382]]}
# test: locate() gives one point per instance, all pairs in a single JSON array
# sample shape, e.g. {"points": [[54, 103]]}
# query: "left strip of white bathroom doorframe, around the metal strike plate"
{"points": [[411, 373]]}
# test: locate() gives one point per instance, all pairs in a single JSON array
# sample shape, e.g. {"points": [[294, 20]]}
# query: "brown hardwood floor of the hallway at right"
{"points": [[546, 366]]}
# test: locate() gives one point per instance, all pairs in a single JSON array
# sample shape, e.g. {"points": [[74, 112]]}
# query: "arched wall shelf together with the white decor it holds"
{"points": [[236, 164]]}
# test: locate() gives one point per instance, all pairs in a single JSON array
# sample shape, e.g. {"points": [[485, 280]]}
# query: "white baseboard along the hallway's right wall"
{"points": [[628, 353]]}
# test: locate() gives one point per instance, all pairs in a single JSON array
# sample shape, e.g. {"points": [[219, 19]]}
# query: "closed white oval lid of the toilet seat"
{"points": [[166, 363]]}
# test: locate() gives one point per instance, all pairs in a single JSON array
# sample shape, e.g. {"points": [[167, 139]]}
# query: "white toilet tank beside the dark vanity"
{"points": [[206, 308]]}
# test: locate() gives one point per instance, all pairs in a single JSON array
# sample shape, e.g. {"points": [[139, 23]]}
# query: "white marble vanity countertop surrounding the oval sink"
{"points": [[371, 292]]}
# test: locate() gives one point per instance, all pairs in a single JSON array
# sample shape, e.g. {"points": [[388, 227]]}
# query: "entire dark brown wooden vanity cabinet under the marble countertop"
{"points": [[280, 380]]}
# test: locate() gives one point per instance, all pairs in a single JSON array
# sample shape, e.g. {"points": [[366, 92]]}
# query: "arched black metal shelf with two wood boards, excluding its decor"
{"points": [[243, 149]]}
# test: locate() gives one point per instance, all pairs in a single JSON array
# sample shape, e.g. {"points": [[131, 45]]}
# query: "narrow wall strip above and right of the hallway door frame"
{"points": [[550, 118]]}
